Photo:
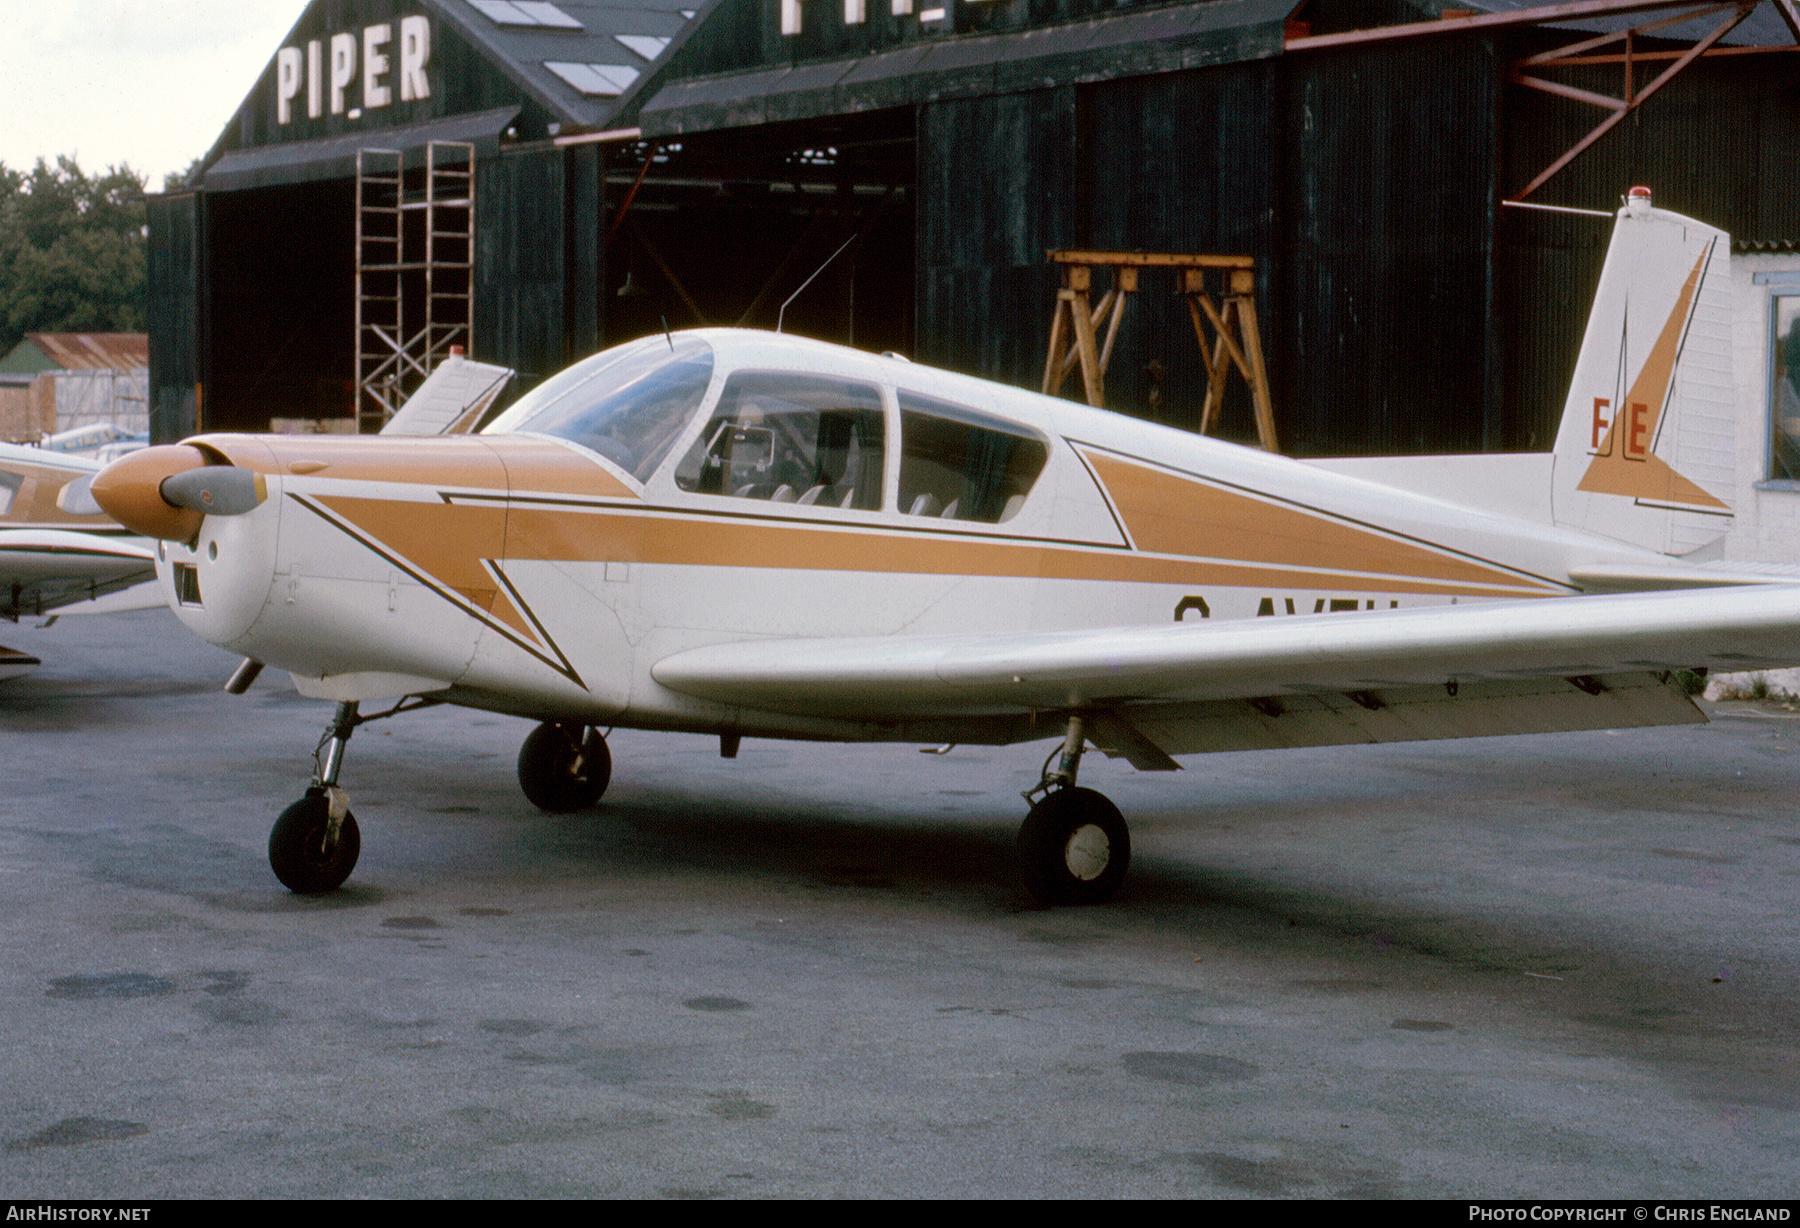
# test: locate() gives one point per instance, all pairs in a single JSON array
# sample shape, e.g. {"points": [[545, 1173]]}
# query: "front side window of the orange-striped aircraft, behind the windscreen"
{"points": [[791, 438]]}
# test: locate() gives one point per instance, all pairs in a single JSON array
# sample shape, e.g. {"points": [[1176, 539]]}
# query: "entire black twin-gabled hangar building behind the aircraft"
{"points": [[638, 168]]}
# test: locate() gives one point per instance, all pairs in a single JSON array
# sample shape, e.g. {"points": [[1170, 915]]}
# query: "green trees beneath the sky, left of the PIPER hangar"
{"points": [[73, 251]]}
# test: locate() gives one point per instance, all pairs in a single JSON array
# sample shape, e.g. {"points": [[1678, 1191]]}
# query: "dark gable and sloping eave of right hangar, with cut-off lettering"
{"points": [[732, 69]]}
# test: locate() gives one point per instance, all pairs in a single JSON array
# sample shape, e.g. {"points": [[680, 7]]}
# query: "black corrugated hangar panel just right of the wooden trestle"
{"points": [[1387, 251]]}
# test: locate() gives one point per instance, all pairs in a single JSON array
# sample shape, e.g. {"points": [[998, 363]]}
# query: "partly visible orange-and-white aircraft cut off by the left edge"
{"points": [[58, 550]]}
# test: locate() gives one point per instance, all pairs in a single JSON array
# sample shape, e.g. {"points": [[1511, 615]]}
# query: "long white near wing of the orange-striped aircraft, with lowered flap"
{"points": [[1380, 676]]}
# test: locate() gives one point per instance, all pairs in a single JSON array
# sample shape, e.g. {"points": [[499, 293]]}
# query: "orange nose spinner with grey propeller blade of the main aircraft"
{"points": [[165, 494]]}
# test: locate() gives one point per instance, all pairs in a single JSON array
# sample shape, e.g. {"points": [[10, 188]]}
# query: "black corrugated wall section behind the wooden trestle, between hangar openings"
{"points": [[1371, 215]]}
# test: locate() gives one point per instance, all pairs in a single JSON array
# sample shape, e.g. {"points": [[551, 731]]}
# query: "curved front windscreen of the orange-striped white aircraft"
{"points": [[629, 404]]}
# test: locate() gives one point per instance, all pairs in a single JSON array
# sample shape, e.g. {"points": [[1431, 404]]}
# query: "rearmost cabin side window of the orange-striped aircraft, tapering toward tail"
{"points": [[962, 465]]}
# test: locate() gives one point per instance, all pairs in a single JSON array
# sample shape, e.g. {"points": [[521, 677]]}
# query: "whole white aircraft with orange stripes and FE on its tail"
{"points": [[757, 536]]}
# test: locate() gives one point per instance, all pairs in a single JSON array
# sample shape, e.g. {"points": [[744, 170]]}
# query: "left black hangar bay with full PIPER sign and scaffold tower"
{"points": [[386, 192]]}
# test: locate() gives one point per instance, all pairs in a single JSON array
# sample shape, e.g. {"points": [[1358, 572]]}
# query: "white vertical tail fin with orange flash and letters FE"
{"points": [[1648, 442]]}
